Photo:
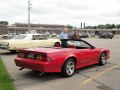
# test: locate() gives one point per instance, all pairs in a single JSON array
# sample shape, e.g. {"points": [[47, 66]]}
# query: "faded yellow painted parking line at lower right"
{"points": [[95, 76]]}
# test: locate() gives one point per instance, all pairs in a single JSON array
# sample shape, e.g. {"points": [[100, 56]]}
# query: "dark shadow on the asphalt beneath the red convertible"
{"points": [[32, 77]]}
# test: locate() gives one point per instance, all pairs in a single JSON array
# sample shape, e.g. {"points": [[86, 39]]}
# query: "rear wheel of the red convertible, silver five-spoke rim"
{"points": [[68, 68]]}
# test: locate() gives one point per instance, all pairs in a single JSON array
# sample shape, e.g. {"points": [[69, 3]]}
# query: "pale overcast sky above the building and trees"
{"points": [[92, 12]]}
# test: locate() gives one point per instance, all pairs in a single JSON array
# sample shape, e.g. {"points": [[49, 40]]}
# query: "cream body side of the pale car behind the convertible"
{"points": [[20, 44]]}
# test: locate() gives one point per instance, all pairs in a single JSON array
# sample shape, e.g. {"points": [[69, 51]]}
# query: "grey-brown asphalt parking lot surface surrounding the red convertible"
{"points": [[93, 77]]}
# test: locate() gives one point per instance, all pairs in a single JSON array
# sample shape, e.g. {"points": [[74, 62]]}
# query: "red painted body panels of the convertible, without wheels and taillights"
{"points": [[59, 57]]}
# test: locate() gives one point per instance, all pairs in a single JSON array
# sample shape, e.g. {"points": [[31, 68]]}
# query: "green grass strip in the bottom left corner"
{"points": [[5, 80]]}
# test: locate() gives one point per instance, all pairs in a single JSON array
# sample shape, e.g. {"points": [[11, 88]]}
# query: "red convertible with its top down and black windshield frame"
{"points": [[66, 57]]}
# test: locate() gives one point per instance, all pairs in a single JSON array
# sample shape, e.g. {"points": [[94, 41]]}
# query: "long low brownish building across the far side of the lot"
{"points": [[41, 28]]}
